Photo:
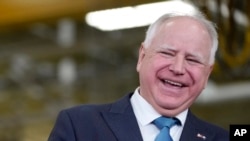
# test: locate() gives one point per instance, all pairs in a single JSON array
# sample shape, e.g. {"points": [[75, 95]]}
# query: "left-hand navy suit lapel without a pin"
{"points": [[122, 121]]}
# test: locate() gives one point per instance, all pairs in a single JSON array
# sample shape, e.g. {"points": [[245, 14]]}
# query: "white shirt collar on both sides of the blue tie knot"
{"points": [[145, 113]]}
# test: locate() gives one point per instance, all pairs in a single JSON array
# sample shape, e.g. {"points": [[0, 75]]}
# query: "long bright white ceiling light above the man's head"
{"points": [[131, 17]]}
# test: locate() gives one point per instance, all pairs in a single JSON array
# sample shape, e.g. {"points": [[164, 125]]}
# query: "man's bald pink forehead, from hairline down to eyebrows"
{"points": [[183, 33]]}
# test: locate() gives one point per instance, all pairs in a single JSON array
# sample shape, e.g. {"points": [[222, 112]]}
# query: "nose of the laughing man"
{"points": [[177, 66]]}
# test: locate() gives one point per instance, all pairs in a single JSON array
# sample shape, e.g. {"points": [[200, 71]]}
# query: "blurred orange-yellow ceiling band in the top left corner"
{"points": [[21, 13]]}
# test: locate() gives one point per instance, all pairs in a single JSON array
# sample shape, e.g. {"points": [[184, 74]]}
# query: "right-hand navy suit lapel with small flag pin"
{"points": [[195, 131]]}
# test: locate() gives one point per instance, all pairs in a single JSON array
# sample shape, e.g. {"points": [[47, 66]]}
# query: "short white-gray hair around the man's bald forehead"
{"points": [[198, 16]]}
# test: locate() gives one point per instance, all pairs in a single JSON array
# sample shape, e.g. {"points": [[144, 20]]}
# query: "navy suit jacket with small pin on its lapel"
{"points": [[117, 122]]}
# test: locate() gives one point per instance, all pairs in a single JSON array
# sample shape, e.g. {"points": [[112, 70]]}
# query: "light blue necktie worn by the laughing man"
{"points": [[164, 124]]}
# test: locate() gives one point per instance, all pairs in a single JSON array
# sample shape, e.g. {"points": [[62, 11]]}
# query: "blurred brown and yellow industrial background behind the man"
{"points": [[51, 59]]}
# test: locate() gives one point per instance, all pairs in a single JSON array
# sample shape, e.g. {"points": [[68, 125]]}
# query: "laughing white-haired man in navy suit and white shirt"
{"points": [[174, 64]]}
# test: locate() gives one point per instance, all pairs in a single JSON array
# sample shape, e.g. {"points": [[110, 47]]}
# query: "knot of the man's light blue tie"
{"points": [[165, 122]]}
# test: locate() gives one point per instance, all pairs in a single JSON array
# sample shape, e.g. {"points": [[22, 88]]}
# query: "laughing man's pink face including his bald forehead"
{"points": [[175, 68]]}
